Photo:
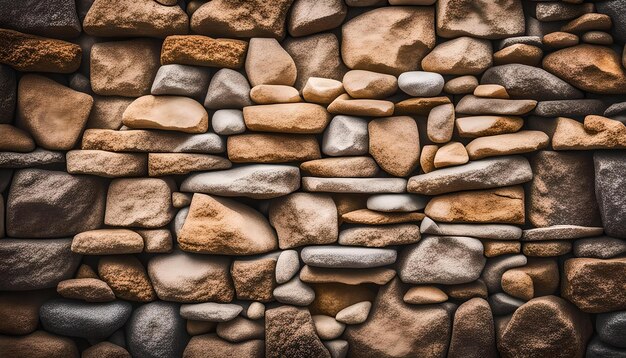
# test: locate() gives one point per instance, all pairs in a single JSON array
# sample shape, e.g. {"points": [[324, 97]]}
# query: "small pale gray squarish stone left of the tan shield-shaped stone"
{"points": [[346, 135]]}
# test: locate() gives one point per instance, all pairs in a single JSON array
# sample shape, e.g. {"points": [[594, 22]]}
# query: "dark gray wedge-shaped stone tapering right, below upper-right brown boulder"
{"points": [[528, 82]]}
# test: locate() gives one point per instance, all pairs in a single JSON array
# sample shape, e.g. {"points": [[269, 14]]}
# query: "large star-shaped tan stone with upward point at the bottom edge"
{"points": [[397, 329]]}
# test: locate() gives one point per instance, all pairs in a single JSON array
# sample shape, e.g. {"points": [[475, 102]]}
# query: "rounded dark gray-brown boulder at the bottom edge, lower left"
{"points": [[156, 330]]}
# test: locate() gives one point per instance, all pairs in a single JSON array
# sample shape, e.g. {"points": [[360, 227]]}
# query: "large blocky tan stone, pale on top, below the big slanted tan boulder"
{"points": [[185, 277]]}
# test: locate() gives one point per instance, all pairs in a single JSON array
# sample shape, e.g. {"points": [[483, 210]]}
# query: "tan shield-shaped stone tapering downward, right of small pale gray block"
{"points": [[394, 144]]}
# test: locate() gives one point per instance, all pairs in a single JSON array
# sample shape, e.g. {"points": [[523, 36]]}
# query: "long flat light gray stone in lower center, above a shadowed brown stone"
{"points": [[347, 257]]}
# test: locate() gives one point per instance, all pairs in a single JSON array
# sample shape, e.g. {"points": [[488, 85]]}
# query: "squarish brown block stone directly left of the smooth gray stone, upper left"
{"points": [[124, 68]]}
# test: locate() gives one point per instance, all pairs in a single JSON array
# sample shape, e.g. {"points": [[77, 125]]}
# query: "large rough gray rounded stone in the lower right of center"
{"points": [[444, 260]]}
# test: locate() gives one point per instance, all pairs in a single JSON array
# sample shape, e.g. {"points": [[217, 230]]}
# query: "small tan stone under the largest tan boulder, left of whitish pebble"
{"points": [[368, 84]]}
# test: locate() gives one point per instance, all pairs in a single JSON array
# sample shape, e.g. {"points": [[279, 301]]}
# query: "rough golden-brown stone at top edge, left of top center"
{"points": [[241, 18]]}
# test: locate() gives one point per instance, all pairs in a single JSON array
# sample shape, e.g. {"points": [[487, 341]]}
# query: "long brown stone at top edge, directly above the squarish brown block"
{"points": [[134, 18]]}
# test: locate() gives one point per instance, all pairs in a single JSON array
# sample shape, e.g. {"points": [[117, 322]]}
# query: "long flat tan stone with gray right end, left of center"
{"points": [[151, 141]]}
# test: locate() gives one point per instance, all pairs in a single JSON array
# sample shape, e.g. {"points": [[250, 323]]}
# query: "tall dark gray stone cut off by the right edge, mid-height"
{"points": [[610, 167]]}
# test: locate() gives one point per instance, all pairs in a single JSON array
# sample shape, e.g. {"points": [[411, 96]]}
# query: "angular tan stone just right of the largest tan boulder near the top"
{"points": [[461, 56]]}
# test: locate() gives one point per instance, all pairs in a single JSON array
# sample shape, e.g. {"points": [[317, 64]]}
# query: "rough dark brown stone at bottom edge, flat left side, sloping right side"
{"points": [[289, 331]]}
